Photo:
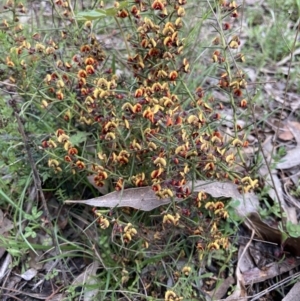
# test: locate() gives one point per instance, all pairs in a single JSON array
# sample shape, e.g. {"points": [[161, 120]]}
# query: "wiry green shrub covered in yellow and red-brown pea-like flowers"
{"points": [[143, 127]]}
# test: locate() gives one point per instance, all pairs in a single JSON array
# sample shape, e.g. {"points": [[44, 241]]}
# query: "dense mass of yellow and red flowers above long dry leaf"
{"points": [[167, 136]]}
